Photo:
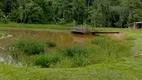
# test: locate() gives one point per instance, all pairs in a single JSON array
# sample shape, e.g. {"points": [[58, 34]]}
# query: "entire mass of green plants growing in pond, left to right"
{"points": [[48, 54]]}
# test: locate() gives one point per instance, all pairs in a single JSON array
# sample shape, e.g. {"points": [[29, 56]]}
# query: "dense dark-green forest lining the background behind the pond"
{"points": [[108, 13]]}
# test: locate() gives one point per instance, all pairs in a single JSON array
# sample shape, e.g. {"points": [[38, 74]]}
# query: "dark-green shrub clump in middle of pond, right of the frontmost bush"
{"points": [[75, 53]]}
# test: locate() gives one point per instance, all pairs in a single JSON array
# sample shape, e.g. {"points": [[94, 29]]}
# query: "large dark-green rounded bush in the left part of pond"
{"points": [[33, 46]]}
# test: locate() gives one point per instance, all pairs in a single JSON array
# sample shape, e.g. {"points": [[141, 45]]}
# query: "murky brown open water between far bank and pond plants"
{"points": [[62, 37]]}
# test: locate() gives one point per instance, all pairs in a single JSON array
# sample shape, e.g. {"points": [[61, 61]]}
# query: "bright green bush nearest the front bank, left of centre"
{"points": [[48, 60]]}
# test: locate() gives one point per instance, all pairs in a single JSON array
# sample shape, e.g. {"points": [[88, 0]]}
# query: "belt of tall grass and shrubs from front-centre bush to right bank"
{"points": [[102, 49]]}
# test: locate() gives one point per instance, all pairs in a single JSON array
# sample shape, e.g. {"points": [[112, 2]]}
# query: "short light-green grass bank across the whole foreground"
{"points": [[123, 69]]}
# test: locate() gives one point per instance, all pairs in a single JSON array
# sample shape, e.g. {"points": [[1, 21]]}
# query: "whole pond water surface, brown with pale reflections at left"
{"points": [[9, 36]]}
